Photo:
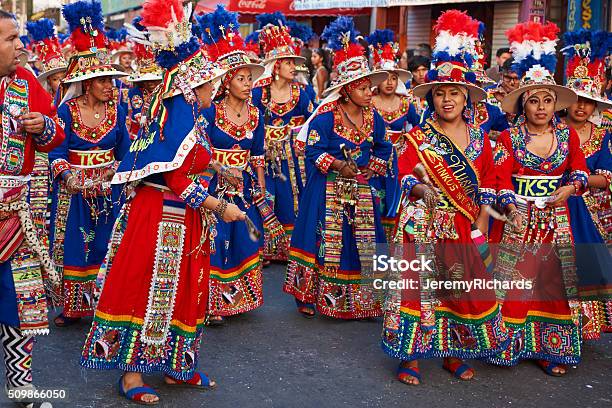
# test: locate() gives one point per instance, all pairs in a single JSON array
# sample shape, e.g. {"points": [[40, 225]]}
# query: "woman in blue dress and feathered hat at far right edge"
{"points": [[585, 75]]}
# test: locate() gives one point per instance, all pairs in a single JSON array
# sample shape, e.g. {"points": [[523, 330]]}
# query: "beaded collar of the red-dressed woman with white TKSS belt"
{"points": [[535, 162]]}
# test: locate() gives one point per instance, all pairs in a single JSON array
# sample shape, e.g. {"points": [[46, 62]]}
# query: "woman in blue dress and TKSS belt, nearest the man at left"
{"points": [[83, 207]]}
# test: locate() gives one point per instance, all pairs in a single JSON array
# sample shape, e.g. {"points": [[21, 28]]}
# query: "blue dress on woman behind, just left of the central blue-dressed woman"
{"points": [[284, 188]]}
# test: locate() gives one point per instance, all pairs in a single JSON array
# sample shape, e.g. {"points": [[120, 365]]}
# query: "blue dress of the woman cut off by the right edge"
{"points": [[593, 258]]}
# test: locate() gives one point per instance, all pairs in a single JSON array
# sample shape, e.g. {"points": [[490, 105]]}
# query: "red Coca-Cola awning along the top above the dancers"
{"points": [[288, 8]]}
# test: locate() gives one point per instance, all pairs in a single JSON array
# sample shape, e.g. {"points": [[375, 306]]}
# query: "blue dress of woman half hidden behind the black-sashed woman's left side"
{"points": [[388, 189]]}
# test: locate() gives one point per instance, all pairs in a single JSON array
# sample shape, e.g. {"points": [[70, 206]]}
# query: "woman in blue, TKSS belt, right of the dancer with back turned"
{"points": [[237, 138]]}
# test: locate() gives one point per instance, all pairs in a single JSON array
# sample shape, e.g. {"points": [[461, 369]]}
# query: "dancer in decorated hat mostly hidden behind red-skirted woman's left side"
{"points": [[145, 78]]}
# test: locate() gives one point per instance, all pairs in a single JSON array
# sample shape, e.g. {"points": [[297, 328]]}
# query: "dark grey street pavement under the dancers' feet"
{"points": [[273, 357]]}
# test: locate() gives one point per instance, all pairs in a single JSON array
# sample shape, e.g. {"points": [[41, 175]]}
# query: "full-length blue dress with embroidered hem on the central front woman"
{"points": [[338, 221]]}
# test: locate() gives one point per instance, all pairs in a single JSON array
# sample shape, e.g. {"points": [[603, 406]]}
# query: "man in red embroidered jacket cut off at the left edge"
{"points": [[28, 126]]}
